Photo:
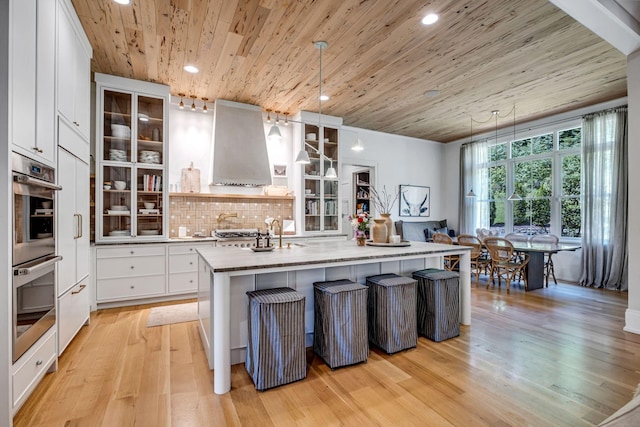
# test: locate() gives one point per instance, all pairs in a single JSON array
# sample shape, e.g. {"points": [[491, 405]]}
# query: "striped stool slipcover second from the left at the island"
{"points": [[340, 322]]}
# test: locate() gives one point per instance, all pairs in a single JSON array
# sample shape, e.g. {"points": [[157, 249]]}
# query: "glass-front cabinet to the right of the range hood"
{"points": [[320, 210]]}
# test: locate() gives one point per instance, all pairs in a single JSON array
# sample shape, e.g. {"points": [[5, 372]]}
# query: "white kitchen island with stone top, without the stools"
{"points": [[226, 274]]}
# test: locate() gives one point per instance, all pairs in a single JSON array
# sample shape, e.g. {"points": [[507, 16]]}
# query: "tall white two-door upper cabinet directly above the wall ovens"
{"points": [[32, 78]]}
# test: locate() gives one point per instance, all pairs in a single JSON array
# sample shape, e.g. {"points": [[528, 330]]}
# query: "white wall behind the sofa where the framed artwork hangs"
{"points": [[401, 160]]}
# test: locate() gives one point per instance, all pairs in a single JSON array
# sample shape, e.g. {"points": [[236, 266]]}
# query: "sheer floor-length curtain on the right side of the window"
{"points": [[604, 199]]}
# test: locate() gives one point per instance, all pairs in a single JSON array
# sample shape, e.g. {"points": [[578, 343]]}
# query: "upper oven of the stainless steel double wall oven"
{"points": [[33, 209]]}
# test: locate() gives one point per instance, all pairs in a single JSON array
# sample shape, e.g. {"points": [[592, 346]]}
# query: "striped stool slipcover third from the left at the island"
{"points": [[392, 312]]}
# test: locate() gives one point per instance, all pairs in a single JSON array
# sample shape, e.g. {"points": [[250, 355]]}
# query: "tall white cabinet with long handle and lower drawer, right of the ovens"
{"points": [[73, 246]]}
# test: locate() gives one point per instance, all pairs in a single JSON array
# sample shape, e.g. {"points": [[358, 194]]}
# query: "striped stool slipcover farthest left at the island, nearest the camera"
{"points": [[276, 343]]}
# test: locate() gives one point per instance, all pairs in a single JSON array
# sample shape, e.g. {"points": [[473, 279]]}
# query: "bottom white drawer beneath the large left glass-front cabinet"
{"points": [[131, 288]]}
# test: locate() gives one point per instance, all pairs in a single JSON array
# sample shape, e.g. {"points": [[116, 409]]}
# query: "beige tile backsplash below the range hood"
{"points": [[199, 214]]}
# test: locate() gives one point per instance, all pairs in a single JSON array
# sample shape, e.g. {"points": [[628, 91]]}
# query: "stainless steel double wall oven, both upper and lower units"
{"points": [[34, 255]]}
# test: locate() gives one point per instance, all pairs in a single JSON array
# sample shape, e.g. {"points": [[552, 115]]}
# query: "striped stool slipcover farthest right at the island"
{"points": [[438, 303]]}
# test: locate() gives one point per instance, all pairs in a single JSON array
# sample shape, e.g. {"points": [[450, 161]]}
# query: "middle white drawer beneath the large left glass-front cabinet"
{"points": [[111, 268]]}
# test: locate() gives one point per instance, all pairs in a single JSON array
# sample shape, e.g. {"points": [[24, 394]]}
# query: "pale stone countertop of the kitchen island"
{"points": [[239, 259]]}
